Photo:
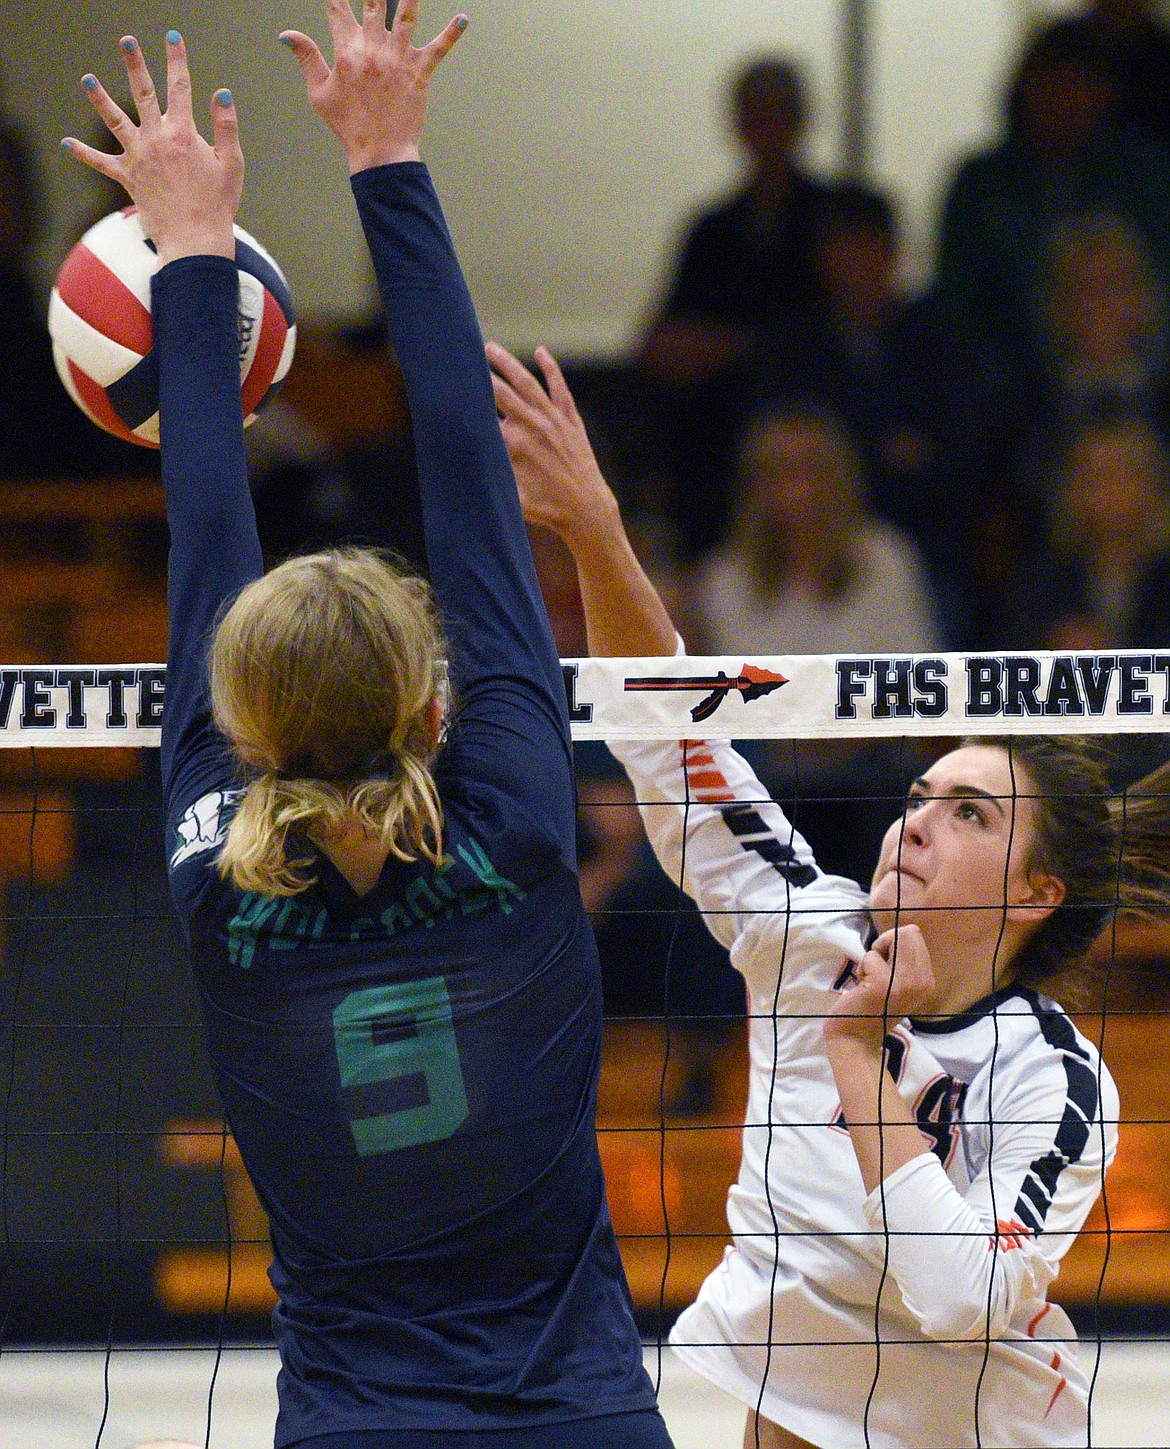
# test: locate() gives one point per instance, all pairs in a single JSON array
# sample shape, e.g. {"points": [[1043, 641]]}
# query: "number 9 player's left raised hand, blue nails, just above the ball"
{"points": [[186, 191]]}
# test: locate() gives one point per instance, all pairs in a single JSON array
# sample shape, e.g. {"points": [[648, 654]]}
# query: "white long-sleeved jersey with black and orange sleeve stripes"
{"points": [[917, 1315]]}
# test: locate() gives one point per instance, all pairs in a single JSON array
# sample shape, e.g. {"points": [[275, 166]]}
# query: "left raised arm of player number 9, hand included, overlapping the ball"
{"points": [[188, 193]]}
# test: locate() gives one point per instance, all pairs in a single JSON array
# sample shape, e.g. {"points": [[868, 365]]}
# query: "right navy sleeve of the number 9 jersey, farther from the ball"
{"points": [[511, 712]]}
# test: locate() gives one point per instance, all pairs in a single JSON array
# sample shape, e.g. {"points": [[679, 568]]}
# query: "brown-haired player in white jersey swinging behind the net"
{"points": [[926, 1129]]}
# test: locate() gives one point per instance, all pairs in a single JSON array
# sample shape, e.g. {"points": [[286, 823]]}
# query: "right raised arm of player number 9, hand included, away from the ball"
{"points": [[375, 99]]}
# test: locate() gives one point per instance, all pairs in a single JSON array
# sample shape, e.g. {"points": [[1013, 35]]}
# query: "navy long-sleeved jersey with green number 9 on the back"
{"points": [[411, 1074]]}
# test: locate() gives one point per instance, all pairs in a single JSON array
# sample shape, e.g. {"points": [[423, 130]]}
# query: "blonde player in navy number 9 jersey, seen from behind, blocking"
{"points": [[401, 990]]}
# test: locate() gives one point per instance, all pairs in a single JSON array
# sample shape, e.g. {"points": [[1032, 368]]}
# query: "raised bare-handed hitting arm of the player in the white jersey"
{"points": [[713, 825]]}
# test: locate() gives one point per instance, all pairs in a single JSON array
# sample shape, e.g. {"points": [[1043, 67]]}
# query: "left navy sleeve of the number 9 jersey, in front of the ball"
{"points": [[215, 550]]}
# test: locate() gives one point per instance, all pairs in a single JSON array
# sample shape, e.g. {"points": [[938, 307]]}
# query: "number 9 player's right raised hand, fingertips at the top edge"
{"points": [[375, 96]]}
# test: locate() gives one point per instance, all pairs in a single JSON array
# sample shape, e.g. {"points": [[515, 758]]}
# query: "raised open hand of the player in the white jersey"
{"points": [[560, 483]]}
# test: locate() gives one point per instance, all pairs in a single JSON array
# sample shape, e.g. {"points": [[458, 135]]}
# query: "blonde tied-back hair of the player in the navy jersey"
{"points": [[324, 676]]}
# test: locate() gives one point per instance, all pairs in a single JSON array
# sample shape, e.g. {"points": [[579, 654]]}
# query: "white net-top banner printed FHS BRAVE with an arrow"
{"points": [[730, 698]]}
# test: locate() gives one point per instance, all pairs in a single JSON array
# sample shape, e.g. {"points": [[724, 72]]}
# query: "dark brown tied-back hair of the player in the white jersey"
{"points": [[1110, 847]]}
